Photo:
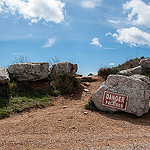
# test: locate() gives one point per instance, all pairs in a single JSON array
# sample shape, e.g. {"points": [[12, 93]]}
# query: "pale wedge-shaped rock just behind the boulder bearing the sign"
{"points": [[131, 71]]}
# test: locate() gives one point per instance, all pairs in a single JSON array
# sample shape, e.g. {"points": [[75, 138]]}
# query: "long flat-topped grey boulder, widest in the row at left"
{"points": [[29, 71]]}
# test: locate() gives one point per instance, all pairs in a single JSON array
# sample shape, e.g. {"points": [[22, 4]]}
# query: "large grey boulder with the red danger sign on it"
{"points": [[129, 94]]}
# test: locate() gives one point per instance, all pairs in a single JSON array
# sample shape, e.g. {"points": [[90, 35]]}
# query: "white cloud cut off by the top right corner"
{"points": [[140, 12]]}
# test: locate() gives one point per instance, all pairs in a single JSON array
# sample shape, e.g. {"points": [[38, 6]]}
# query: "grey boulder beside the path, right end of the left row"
{"points": [[65, 67]]}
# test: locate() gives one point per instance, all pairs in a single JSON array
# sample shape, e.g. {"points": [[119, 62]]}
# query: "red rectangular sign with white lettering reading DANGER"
{"points": [[115, 100]]}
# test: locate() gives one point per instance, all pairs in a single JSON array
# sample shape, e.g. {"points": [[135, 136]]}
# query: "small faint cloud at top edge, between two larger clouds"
{"points": [[90, 3]]}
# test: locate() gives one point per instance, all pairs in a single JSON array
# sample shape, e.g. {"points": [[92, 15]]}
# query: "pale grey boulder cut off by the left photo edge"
{"points": [[4, 76]]}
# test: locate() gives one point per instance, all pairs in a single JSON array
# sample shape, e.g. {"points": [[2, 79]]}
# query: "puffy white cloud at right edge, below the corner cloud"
{"points": [[132, 36]]}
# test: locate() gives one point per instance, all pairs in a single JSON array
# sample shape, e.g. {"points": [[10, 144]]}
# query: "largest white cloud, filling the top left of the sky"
{"points": [[35, 10]]}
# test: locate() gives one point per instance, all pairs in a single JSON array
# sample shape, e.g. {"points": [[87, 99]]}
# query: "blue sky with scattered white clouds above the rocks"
{"points": [[91, 33]]}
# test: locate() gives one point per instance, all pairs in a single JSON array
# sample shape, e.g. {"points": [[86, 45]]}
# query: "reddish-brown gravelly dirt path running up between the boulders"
{"points": [[66, 126]]}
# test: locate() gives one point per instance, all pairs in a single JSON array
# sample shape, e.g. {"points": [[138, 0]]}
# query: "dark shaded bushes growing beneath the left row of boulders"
{"points": [[62, 84]]}
